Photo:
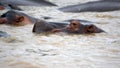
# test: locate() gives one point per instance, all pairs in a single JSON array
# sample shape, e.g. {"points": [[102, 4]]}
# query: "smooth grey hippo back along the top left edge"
{"points": [[28, 2]]}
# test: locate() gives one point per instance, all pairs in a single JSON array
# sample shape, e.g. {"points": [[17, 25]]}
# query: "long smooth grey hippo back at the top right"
{"points": [[95, 6]]}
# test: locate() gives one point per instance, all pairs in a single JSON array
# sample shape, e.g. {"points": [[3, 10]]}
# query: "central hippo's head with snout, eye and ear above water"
{"points": [[75, 27]]}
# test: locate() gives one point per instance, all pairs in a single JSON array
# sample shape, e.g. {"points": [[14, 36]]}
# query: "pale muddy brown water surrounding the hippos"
{"points": [[27, 50]]}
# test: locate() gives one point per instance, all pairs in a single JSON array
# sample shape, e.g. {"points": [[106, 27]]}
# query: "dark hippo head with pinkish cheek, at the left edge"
{"points": [[14, 18]]}
